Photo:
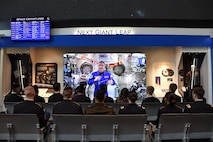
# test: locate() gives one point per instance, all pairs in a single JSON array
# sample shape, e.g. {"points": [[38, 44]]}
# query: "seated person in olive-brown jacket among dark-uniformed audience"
{"points": [[99, 107]]}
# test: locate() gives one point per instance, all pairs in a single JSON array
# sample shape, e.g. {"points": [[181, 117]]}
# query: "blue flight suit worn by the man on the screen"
{"points": [[105, 77]]}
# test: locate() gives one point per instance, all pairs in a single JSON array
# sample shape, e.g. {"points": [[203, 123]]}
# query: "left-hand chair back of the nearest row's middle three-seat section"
{"points": [[67, 127]]}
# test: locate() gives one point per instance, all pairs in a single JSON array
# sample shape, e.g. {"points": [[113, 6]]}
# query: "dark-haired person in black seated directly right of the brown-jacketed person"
{"points": [[132, 107]]}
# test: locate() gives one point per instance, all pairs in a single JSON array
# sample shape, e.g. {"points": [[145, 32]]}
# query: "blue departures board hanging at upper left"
{"points": [[36, 28]]}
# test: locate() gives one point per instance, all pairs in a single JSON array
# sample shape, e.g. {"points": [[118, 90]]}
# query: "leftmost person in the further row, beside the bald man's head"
{"points": [[14, 95]]}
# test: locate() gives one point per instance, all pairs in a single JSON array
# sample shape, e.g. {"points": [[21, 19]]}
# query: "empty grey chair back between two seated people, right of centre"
{"points": [[152, 110]]}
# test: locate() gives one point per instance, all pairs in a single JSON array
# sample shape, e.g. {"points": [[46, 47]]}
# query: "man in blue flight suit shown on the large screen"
{"points": [[101, 77]]}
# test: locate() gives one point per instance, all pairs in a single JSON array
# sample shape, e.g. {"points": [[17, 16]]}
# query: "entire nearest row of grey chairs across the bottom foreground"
{"points": [[115, 128]]}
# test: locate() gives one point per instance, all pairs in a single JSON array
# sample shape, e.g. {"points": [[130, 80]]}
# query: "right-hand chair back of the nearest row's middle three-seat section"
{"points": [[131, 127]]}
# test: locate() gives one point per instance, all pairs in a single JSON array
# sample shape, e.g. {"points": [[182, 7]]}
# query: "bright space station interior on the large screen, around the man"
{"points": [[128, 71]]}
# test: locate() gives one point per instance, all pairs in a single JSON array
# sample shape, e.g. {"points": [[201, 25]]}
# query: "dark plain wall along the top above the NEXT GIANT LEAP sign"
{"points": [[112, 12]]}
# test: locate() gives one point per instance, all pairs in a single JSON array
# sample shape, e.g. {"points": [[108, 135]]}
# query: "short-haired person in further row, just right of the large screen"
{"points": [[149, 95]]}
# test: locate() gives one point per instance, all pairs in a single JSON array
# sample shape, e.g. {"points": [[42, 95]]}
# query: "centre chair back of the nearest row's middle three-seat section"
{"points": [[100, 127]]}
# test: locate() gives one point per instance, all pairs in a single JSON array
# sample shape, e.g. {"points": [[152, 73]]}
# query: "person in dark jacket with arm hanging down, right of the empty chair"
{"points": [[170, 107]]}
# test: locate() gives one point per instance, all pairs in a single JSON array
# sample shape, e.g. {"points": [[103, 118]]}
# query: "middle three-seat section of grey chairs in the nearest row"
{"points": [[99, 127]]}
